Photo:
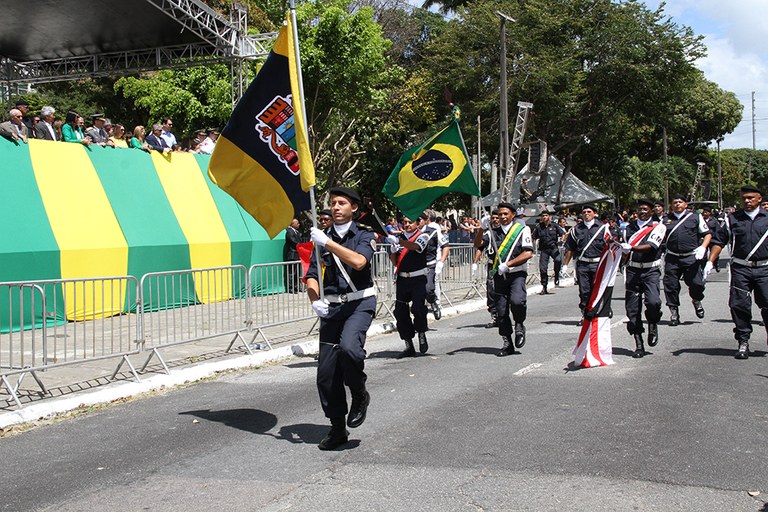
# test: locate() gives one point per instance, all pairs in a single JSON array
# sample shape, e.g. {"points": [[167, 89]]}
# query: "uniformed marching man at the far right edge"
{"points": [[746, 231]]}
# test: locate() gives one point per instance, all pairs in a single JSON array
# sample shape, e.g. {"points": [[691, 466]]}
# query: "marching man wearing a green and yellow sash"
{"points": [[515, 248]]}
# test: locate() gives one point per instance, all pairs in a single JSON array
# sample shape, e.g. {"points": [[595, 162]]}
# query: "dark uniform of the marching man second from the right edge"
{"points": [[679, 261]]}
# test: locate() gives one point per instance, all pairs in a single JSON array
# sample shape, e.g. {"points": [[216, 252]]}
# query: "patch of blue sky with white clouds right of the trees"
{"points": [[735, 33]]}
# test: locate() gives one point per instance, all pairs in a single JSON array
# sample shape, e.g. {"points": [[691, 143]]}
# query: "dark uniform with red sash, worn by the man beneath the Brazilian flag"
{"points": [[412, 288]]}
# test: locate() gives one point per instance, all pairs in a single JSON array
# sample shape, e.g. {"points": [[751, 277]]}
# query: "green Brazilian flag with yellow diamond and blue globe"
{"points": [[426, 172]]}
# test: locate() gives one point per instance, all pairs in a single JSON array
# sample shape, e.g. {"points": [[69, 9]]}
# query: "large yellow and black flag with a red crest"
{"points": [[262, 157]]}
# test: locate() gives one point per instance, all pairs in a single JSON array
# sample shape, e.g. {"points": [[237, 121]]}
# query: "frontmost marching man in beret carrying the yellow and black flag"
{"points": [[345, 312]]}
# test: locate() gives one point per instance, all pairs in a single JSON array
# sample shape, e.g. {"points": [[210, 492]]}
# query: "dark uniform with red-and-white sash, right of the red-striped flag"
{"points": [[643, 272]]}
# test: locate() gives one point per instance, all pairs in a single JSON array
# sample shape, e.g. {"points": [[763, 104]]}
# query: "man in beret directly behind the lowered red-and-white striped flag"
{"points": [[585, 244]]}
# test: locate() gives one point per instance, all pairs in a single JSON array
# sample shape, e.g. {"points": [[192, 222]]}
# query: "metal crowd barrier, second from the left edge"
{"points": [[182, 306]]}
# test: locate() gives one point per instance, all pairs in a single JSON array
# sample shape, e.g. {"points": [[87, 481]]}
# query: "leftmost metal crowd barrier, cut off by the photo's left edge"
{"points": [[50, 323]]}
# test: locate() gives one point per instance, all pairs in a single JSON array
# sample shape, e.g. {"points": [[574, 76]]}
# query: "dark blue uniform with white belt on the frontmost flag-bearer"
{"points": [[342, 332]]}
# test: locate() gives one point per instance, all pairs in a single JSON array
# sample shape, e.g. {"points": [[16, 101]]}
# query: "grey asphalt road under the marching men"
{"points": [[457, 429]]}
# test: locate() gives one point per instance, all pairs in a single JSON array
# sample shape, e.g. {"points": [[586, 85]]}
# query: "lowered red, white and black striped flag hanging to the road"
{"points": [[594, 347]]}
